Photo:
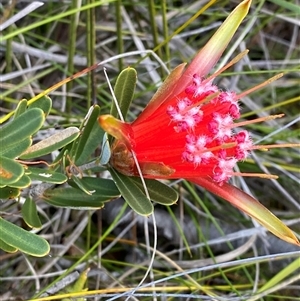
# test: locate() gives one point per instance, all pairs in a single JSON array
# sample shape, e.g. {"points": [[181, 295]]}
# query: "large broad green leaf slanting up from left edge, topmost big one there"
{"points": [[21, 128]]}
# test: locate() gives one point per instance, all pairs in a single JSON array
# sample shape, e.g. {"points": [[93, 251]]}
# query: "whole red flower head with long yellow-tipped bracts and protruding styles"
{"points": [[188, 130]]}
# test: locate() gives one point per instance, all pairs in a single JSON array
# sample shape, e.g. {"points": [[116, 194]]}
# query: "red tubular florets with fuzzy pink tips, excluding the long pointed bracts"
{"points": [[193, 135]]}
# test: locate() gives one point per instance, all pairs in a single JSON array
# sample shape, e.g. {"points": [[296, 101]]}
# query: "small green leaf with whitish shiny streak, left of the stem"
{"points": [[46, 175]]}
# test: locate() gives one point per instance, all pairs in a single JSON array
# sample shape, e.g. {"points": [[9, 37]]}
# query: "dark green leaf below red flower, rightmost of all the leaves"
{"points": [[159, 192]]}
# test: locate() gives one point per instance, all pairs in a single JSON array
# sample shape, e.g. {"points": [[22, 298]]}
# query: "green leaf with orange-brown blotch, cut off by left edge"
{"points": [[10, 171]]}
